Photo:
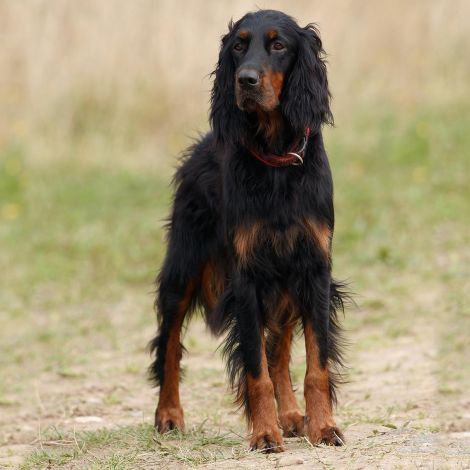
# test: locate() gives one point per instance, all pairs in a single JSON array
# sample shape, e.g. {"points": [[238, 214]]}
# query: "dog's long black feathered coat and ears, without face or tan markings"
{"points": [[221, 189]]}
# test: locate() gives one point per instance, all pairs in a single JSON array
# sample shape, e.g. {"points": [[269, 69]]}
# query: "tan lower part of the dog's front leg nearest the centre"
{"points": [[261, 410]]}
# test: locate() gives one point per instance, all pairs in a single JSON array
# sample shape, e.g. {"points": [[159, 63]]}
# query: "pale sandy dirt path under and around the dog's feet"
{"points": [[391, 411]]}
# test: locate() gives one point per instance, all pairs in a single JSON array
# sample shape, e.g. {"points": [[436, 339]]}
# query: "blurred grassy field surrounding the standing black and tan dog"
{"points": [[97, 99]]}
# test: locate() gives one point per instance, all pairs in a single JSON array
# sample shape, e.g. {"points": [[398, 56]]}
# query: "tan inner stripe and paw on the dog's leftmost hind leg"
{"points": [[169, 413]]}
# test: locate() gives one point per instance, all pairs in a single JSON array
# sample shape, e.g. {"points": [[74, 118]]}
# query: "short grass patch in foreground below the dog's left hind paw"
{"points": [[131, 447]]}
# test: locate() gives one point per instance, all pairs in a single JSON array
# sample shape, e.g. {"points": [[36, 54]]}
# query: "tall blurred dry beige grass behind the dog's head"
{"points": [[114, 81]]}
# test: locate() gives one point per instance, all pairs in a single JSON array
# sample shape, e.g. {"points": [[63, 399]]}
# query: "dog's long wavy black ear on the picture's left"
{"points": [[225, 117]]}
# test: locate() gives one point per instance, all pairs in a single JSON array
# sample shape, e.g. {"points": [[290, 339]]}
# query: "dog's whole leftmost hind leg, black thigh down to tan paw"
{"points": [[192, 237]]}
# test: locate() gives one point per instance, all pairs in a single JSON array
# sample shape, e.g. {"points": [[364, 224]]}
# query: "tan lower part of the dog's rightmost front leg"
{"points": [[320, 425]]}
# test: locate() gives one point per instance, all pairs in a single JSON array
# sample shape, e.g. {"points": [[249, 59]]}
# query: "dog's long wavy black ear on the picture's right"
{"points": [[306, 97]]}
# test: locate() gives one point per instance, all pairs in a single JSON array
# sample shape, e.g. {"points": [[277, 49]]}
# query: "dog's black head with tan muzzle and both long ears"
{"points": [[267, 63]]}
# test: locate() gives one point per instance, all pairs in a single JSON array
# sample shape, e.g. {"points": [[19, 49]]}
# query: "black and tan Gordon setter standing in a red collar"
{"points": [[250, 235]]}
